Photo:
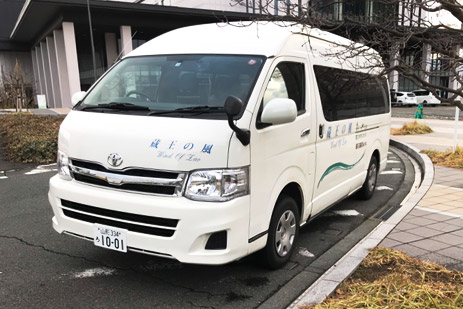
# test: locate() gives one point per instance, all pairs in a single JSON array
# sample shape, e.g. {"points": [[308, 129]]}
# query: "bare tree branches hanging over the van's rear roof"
{"points": [[415, 48]]}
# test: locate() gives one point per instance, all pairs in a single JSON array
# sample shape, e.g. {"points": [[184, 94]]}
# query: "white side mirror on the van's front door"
{"points": [[279, 111]]}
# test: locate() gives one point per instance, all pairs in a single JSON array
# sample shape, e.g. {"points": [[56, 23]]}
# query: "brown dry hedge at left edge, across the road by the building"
{"points": [[30, 138]]}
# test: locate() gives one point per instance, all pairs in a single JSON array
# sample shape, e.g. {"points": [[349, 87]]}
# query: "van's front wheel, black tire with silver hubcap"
{"points": [[283, 233]]}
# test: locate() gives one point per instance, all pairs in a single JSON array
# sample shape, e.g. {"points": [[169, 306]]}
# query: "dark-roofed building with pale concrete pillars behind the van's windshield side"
{"points": [[51, 38]]}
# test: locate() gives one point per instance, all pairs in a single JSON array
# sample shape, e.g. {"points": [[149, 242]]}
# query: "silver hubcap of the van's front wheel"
{"points": [[285, 233]]}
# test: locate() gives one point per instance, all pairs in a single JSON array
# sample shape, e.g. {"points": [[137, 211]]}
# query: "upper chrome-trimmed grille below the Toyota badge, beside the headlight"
{"points": [[129, 179]]}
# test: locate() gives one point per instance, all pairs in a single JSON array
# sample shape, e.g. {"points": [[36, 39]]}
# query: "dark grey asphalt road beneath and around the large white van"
{"points": [[40, 268]]}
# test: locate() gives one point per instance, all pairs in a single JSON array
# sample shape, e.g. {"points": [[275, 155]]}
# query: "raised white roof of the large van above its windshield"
{"points": [[250, 38]]}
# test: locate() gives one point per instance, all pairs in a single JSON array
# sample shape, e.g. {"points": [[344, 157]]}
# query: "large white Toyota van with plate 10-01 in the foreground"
{"points": [[212, 142]]}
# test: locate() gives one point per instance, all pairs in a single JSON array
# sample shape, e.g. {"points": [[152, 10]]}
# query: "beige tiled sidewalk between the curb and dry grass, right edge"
{"points": [[433, 230]]}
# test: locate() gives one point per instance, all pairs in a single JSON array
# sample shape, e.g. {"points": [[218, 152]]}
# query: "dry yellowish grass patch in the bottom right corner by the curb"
{"points": [[387, 278]]}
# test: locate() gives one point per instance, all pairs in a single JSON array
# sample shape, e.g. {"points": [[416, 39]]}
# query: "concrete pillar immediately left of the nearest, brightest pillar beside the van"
{"points": [[65, 93]]}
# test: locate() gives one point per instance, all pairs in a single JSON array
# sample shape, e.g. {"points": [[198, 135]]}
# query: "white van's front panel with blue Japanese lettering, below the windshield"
{"points": [[161, 143]]}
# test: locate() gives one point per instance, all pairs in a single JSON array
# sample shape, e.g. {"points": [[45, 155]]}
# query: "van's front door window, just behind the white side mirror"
{"points": [[287, 81]]}
